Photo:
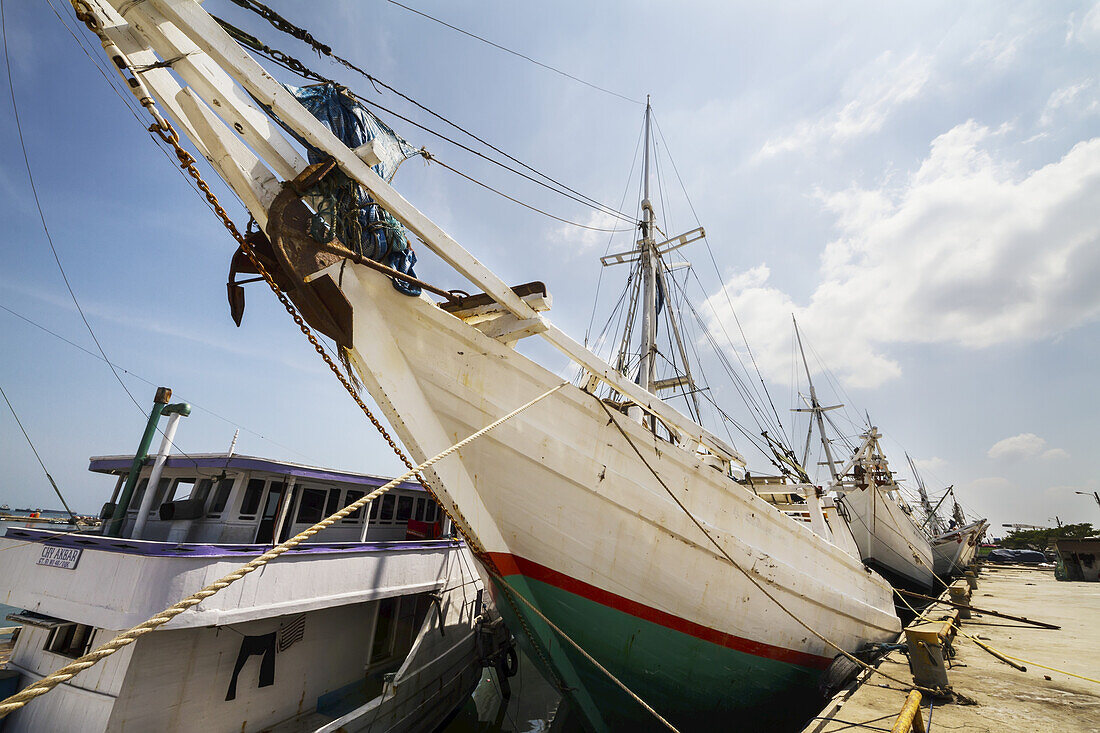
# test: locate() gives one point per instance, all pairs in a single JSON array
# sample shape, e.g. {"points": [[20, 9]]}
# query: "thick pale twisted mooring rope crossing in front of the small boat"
{"points": [[127, 638]]}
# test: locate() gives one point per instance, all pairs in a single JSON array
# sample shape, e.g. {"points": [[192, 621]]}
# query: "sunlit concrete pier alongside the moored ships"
{"points": [[999, 698]]}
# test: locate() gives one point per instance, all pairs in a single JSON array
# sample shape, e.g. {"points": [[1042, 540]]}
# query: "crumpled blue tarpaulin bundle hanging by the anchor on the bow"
{"points": [[378, 235]]}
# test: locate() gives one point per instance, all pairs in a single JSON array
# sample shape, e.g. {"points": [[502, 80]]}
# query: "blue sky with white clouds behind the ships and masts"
{"points": [[919, 184]]}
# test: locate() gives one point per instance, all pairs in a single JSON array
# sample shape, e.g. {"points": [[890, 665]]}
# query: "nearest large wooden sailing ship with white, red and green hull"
{"points": [[604, 517]]}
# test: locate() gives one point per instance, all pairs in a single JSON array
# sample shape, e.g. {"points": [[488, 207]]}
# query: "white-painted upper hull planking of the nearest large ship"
{"points": [[560, 487]]}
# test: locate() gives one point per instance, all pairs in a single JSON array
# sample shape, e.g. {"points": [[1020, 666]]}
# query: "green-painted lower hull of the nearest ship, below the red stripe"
{"points": [[698, 686]]}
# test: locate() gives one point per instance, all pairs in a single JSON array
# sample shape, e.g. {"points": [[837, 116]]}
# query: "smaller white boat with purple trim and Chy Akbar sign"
{"points": [[381, 623]]}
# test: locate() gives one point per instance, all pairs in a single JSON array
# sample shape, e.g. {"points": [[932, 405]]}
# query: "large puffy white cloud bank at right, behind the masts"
{"points": [[969, 250]]}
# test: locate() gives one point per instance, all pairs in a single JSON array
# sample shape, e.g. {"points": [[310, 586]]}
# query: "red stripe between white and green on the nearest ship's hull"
{"points": [[512, 565]]}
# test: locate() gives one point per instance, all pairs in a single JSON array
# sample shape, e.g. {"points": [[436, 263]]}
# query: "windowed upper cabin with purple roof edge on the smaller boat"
{"points": [[224, 499]]}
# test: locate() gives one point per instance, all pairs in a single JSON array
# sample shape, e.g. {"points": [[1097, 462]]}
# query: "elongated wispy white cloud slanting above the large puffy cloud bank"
{"points": [[875, 94]]}
